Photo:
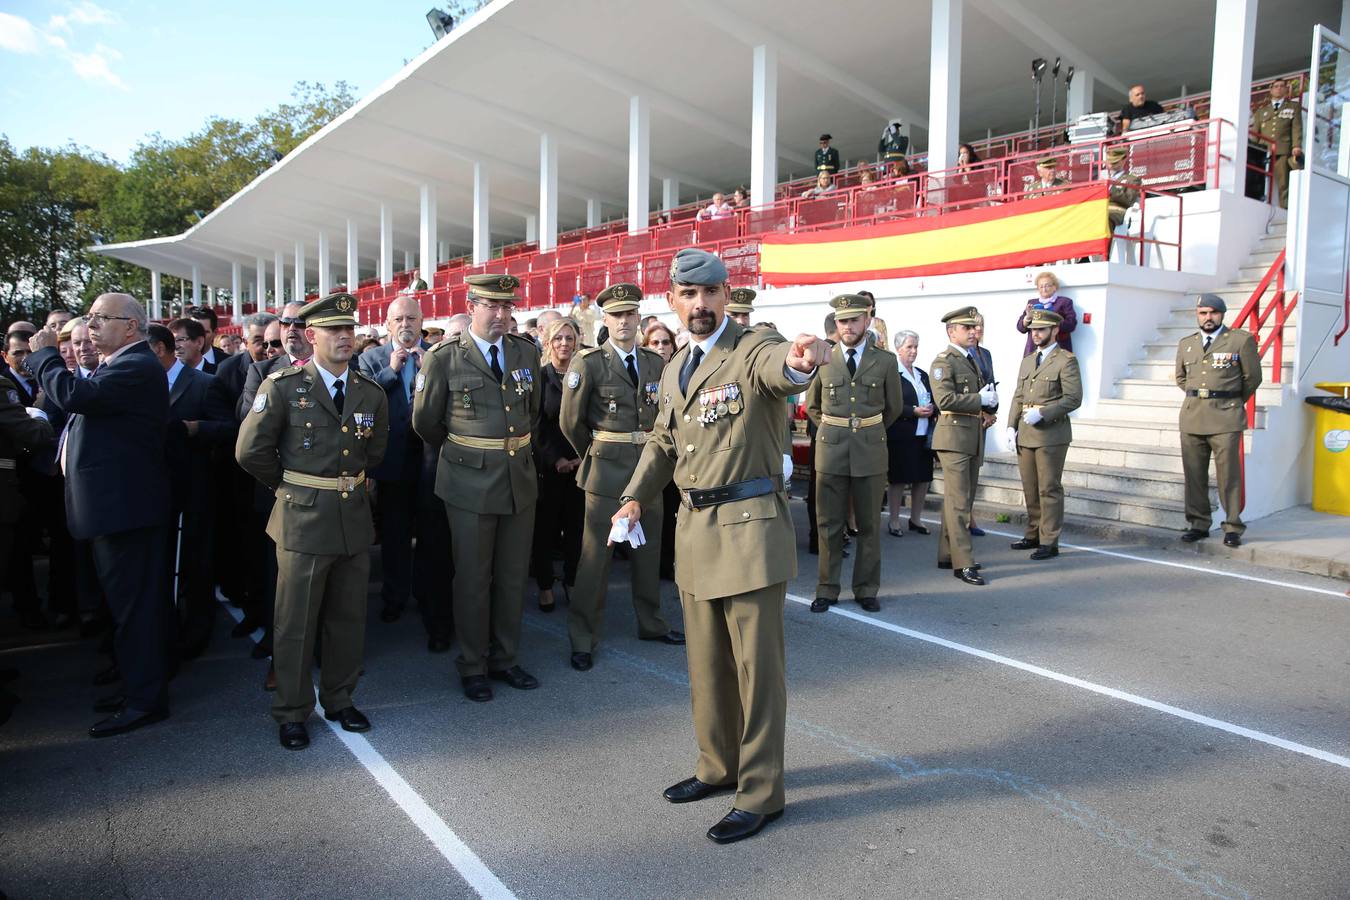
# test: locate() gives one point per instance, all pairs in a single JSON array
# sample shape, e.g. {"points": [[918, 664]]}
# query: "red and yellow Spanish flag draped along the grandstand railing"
{"points": [[1023, 233]]}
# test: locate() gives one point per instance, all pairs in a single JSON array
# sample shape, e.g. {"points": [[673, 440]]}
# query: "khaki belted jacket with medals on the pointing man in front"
{"points": [[742, 546]]}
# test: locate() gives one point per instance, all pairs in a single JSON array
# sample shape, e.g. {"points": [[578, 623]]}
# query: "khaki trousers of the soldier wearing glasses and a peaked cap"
{"points": [[492, 563]]}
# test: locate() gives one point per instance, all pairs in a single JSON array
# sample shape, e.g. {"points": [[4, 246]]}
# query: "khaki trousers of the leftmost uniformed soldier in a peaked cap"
{"points": [[308, 585]]}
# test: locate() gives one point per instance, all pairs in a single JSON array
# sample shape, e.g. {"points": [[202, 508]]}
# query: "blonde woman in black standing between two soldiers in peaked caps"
{"points": [[561, 511]]}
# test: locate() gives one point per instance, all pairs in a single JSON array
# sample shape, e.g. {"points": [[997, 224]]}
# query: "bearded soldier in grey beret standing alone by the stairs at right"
{"points": [[1218, 369]]}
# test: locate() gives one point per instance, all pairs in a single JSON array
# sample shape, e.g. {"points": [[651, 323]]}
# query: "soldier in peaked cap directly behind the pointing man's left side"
{"points": [[610, 407]]}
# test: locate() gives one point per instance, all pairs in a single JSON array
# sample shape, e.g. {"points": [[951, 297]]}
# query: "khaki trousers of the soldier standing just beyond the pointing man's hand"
{"points": [[832, 501]]}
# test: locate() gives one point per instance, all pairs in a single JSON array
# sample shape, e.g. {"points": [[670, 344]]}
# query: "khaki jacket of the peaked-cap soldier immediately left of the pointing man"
{"points": [[600, 396]]}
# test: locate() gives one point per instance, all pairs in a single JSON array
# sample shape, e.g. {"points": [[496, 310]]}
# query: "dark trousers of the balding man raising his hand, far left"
{"points": [[132, 567]]}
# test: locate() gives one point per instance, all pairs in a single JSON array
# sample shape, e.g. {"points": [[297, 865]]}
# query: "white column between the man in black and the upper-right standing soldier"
{"points": [[1231, 87]]}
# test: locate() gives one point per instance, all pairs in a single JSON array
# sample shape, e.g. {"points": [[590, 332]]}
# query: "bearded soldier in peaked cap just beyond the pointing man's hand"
{"points": [[853, 403]]}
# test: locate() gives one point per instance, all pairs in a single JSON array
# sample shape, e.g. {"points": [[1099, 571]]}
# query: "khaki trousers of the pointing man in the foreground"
{"points": [[739, 693]]}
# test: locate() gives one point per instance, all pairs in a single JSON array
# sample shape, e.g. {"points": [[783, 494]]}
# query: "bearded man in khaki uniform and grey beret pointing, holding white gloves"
{"points": [[719, 432]]}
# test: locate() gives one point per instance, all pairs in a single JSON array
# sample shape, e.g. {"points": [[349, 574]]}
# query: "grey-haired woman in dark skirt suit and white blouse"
{"points": [[911, 465]]}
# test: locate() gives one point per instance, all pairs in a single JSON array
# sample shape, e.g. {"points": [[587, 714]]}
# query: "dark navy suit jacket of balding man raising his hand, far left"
{"points": [[115, 441]]}
